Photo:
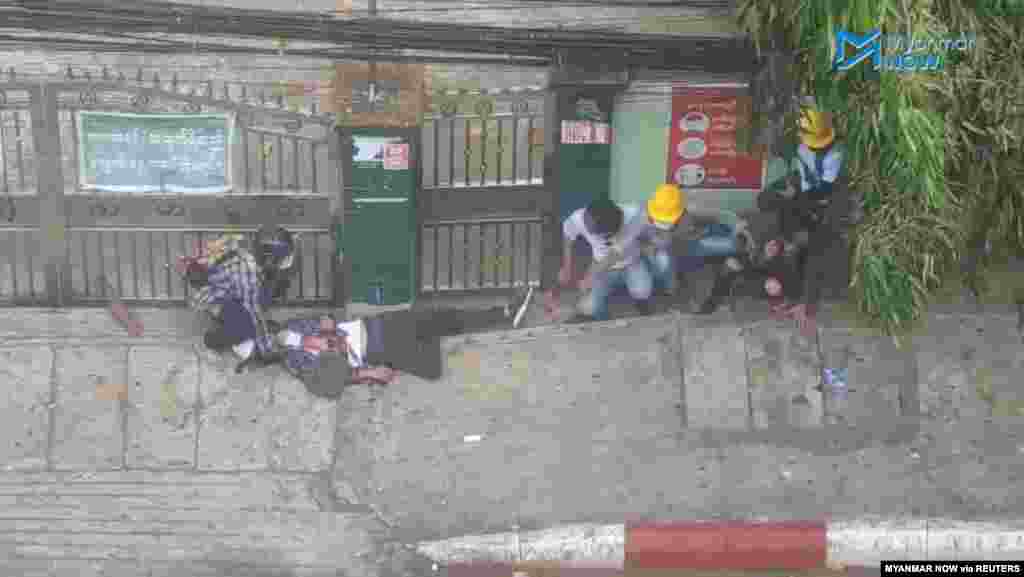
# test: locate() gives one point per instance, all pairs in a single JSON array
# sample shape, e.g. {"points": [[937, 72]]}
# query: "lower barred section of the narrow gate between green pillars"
{"points": [[482, 255]]}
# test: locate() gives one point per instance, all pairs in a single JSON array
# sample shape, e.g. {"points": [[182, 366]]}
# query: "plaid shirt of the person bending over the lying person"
{"points": [[236, 278]]}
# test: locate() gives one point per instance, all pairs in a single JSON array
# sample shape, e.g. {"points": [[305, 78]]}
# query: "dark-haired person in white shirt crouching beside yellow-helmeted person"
{"points": [[596, 225]]}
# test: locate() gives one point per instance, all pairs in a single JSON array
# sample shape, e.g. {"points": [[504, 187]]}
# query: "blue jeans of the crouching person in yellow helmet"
{"points": [[639, 279]]}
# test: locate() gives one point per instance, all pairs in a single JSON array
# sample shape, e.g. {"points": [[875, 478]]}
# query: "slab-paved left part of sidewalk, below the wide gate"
{"points": [[189, 470]]}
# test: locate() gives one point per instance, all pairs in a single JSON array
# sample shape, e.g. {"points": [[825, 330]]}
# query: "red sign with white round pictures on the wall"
{"points": [[703, 140]]}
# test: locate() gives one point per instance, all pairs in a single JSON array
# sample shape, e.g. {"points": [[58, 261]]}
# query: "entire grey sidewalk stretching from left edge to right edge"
{"points": [[669, 418]]}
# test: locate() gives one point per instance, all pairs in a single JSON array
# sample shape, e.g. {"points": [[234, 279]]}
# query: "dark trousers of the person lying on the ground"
{"points": [[411, 341]]}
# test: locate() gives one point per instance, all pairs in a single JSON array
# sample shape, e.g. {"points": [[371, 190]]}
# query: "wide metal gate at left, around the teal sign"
{"points": [[283, 176]]}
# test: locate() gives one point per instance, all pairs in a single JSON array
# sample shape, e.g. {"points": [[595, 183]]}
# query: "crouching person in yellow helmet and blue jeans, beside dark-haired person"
{"points": [[641, 258]]}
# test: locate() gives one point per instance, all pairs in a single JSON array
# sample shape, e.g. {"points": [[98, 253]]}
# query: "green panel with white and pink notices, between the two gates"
{"points": [[379, 236]]}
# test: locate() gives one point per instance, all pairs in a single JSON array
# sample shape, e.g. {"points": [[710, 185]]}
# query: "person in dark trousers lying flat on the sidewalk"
{"points": [[327, 355]]}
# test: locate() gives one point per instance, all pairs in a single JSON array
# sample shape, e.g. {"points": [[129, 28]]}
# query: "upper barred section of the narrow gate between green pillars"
{"points": [[483, 150]]}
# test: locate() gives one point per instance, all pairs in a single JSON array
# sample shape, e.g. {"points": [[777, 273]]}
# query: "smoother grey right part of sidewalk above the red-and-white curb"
{"points": [[688, 419]]}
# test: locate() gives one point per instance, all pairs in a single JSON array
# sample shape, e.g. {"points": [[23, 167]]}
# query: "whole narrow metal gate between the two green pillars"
{"points": [[495, 162]]}
